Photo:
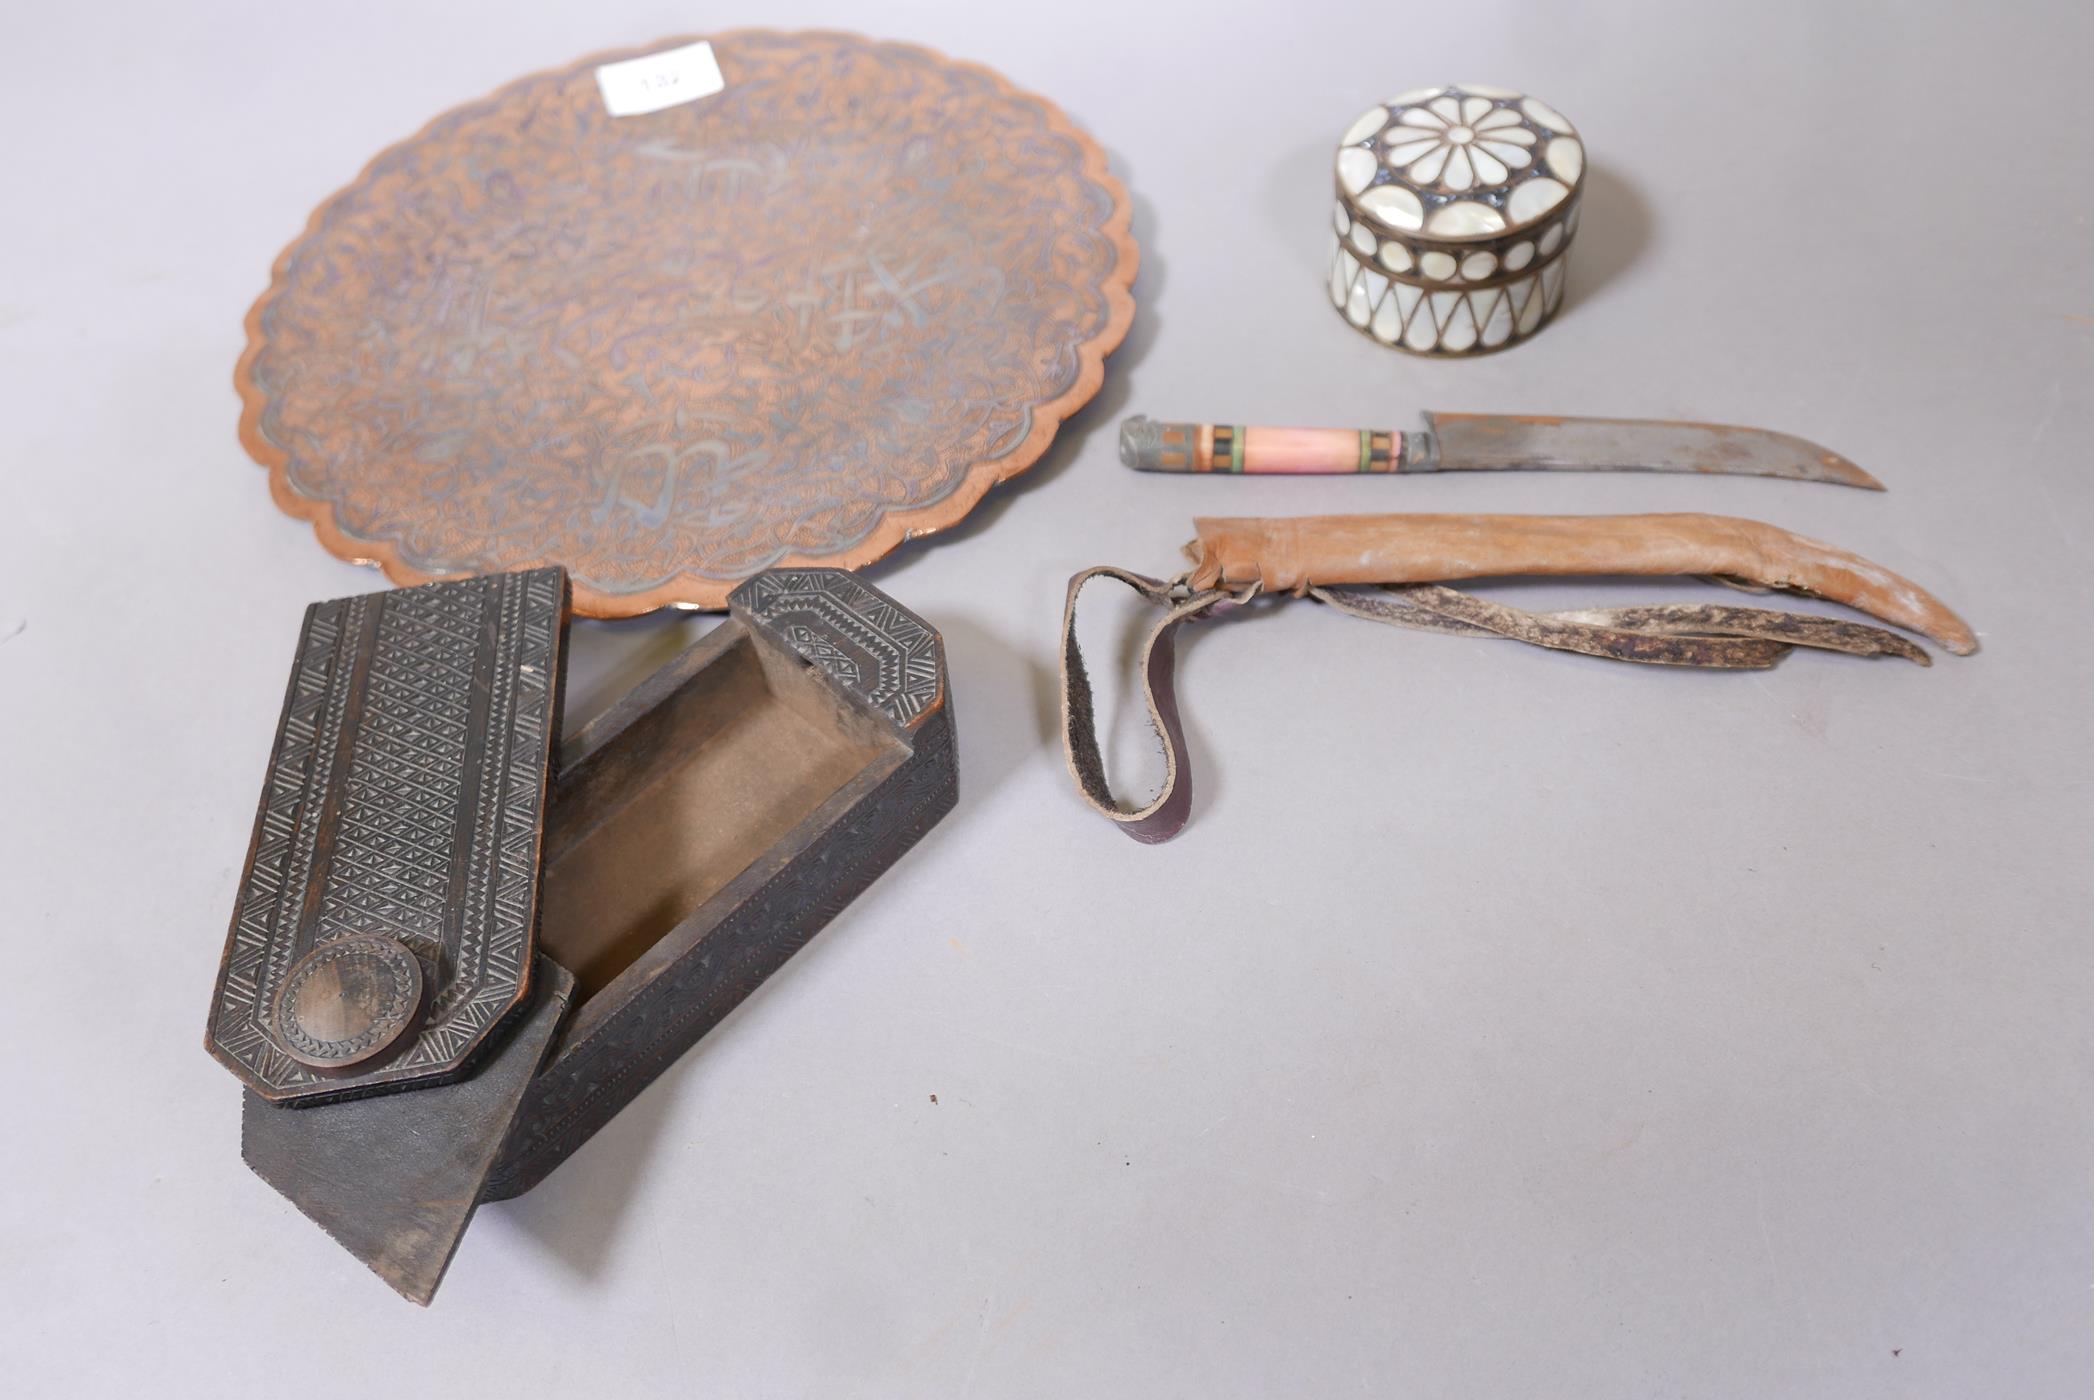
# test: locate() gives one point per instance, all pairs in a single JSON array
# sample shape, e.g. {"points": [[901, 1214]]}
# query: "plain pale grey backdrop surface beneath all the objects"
{"points": [[1507, 1024]]}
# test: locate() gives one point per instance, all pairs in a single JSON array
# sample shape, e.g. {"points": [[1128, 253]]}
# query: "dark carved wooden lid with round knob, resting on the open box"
{"points": [[388, 911]]}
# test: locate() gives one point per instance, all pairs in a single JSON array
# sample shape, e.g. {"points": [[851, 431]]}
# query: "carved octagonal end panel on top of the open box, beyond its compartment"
{"points": [[876, 648]]}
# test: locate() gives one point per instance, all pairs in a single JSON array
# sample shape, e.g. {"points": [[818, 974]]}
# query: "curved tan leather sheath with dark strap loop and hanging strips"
{"points": [[1389, 568]]}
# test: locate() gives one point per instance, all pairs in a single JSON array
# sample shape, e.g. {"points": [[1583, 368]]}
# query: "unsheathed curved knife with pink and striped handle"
{"points": [[1486, 443]]}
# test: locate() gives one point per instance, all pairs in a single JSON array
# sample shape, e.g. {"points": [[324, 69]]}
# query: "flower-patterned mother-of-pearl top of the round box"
{"points": [[1465, 162]]}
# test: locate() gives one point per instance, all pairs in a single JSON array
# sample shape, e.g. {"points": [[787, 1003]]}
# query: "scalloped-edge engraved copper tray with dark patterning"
{"points": [[793, 323]]}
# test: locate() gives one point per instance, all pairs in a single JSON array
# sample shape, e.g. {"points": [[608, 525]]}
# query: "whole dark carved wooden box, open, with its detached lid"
{"points": [[462, 947]]}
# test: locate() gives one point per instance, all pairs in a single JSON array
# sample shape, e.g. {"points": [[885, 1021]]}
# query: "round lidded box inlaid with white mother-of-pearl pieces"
{"points": [[1456, 212]]}
